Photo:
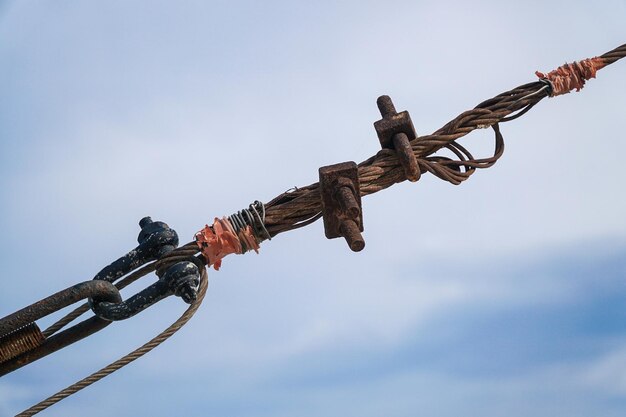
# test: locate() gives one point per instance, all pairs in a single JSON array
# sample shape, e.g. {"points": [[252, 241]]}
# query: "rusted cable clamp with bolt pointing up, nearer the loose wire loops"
{"points": [[395, 131]]}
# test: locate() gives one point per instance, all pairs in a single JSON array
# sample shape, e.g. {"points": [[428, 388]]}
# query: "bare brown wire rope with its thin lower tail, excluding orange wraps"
{"points": [[302, 206]]}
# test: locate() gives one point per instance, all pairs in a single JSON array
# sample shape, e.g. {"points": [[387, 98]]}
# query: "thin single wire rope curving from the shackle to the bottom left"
{"points": [[136, 354]]}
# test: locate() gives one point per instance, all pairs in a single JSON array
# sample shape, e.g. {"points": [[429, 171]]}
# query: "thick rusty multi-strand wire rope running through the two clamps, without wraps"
{"points": [[303, 206]]}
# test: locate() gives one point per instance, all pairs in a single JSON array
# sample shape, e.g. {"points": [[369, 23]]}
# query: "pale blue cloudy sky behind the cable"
{"points": [[502, 296]]}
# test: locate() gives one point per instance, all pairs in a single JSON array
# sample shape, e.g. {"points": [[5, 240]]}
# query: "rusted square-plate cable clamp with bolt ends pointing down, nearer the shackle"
{"points": [[341, 203]]}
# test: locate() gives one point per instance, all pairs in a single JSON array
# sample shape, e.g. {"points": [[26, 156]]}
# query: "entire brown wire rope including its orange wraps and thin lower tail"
{"points": [[302, 206]]}
